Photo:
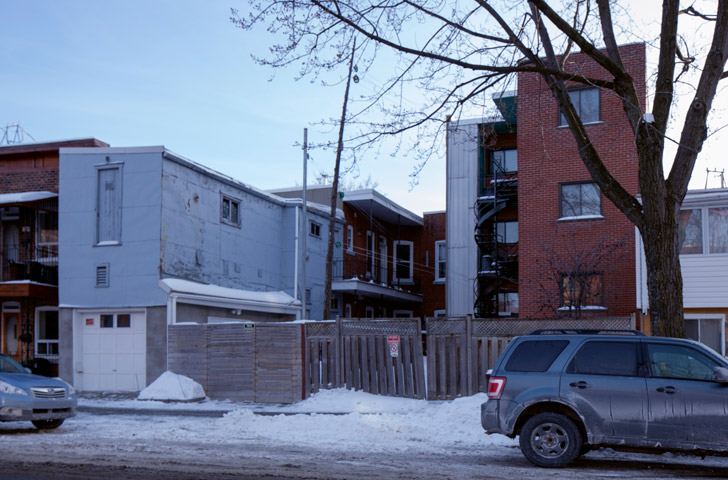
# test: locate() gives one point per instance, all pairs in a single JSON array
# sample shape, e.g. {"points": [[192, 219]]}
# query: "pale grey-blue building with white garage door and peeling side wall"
{"points": [[148, 239]]}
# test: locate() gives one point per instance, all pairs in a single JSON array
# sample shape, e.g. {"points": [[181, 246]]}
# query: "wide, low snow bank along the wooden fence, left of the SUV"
{"points": [[394, 424]]}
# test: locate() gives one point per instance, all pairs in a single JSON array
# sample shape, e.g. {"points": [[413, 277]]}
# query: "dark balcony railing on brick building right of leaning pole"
{"points": [[372, 271]]}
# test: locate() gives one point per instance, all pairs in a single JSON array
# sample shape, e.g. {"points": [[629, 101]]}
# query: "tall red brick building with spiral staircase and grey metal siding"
{"points": [[529, 233]]}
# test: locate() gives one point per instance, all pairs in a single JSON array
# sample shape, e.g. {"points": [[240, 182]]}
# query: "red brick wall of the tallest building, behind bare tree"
{"points": [[547, 156]]}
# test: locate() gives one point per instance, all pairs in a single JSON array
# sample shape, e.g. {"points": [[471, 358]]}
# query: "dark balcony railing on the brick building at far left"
{"points": [[37, 265]]}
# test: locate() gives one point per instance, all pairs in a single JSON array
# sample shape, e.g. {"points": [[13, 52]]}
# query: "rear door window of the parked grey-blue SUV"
{"points": [[606, 358]]}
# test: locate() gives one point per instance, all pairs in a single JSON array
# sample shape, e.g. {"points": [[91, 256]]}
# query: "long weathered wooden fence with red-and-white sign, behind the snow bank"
{"points": [[286, 362]]}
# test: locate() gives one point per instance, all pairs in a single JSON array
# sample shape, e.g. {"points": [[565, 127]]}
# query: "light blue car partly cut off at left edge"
{"points": [[45, 401]]}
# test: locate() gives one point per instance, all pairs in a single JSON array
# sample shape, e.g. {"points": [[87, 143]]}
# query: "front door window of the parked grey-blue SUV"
{"points": [[678, 361]]}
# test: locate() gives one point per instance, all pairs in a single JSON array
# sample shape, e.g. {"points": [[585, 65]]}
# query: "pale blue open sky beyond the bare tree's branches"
{"points": [[178, 73]]}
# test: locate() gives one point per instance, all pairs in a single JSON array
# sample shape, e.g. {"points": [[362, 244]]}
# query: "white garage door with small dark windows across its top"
{"points": [[112, 353]]}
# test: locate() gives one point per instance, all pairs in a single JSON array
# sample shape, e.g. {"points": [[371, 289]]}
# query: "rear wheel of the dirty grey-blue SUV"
{"points": [[550, 440]]}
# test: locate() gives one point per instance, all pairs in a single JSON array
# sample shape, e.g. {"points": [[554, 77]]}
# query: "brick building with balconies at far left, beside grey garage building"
{"points": [[29, 175]]}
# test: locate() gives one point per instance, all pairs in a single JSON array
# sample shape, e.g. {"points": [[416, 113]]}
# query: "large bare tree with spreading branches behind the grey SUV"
{"points": [[453, 53]]}
